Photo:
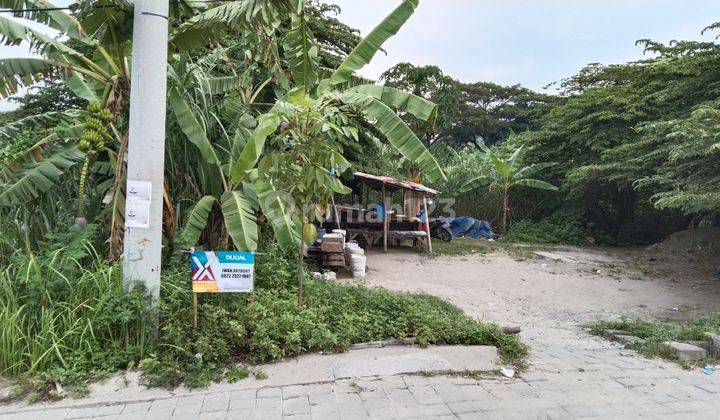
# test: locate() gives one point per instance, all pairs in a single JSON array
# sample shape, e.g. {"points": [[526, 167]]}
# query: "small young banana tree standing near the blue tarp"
{"points": [[506, 174]]}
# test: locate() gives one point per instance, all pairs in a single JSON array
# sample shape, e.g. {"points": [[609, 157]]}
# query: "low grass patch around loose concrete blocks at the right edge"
{"points": [[655, 333]]}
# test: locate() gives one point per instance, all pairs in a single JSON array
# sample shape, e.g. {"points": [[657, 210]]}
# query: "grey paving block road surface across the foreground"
{"points": [[567, 378]]}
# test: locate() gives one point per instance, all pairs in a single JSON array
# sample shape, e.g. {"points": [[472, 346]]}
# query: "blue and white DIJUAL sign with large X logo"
{"points": [[222, 271]]}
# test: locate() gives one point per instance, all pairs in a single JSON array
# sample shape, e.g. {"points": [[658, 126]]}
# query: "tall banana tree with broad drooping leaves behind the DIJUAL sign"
{"points": [[284, 166]]}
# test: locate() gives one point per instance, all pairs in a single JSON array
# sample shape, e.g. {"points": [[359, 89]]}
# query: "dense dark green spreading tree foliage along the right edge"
{"points": [[635, 142]]}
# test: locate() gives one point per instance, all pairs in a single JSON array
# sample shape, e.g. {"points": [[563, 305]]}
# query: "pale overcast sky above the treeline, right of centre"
{"points": [[532, 42]]}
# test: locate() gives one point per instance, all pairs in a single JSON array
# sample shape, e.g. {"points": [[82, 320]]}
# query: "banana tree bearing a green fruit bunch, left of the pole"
{"points": [[90, 56]]}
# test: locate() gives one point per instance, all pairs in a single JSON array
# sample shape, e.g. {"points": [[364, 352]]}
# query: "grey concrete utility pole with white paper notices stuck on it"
{"points": [[146, 147]]}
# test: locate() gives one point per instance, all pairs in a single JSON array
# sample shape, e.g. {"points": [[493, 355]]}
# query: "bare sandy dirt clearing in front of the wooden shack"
{"points": [[560, 289]]}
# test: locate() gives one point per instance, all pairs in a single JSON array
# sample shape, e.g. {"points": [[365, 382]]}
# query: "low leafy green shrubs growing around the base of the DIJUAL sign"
{"points": [[274, 326]]}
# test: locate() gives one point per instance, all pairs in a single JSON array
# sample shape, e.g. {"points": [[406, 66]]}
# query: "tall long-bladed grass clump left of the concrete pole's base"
{"points": [[64, 316]]}
